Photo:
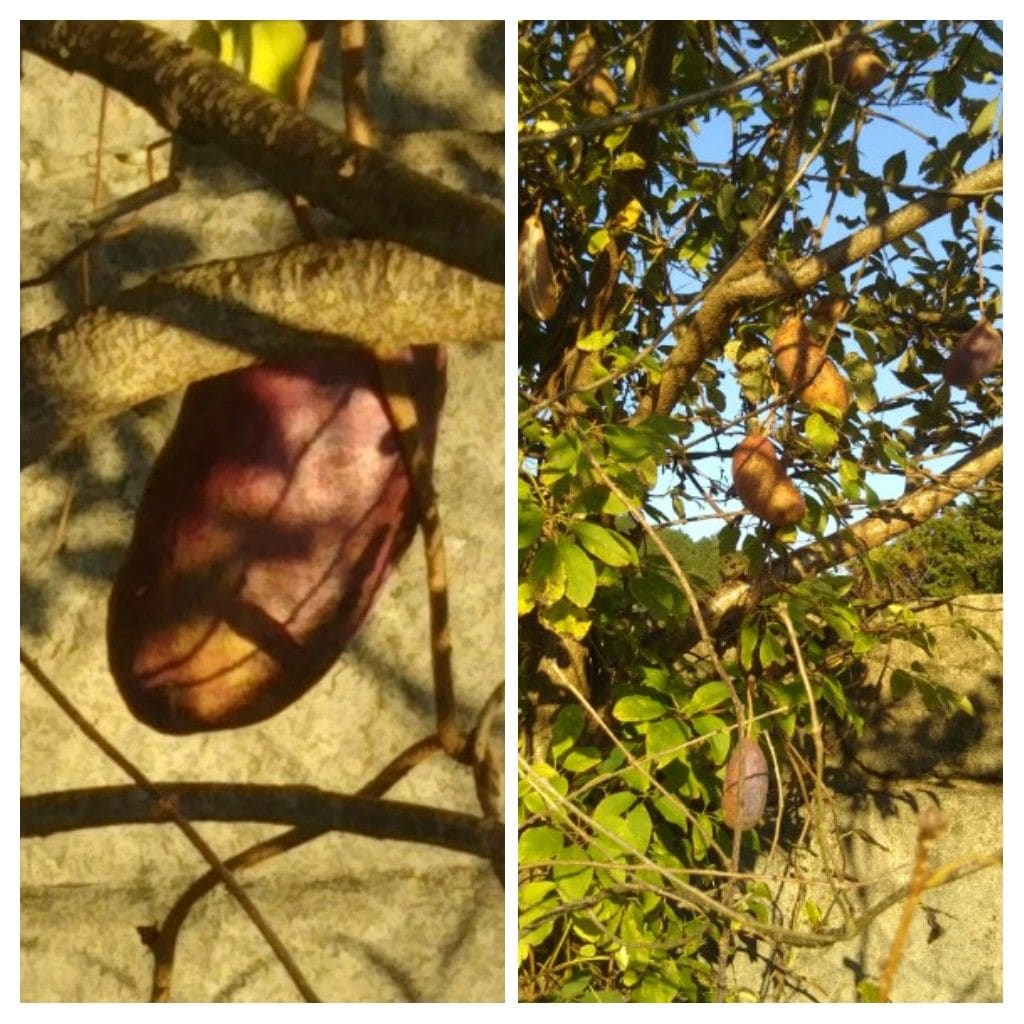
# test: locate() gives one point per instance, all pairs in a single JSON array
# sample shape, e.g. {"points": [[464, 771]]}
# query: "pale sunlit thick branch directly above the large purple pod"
{"points": [[185, 325]]}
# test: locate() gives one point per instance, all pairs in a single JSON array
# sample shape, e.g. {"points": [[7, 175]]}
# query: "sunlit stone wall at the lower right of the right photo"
{"points": [[910, 758]]}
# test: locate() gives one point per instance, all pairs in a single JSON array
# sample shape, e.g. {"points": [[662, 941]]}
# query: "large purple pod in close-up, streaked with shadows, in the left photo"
{"points": [[270, 521]]}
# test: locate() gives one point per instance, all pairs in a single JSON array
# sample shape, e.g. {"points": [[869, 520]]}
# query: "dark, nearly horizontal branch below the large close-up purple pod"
{"points": [[49, 814]]}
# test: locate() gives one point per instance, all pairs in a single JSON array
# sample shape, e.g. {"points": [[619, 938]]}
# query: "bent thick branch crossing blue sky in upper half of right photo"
{"points": [[707, 329]]}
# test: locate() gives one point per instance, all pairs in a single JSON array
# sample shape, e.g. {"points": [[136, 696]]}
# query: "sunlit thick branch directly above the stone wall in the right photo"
{"points": [[840, 547]]}
